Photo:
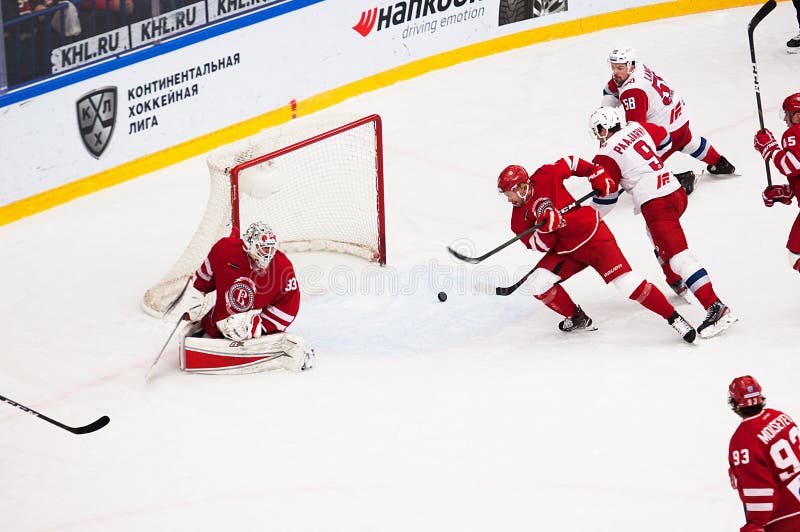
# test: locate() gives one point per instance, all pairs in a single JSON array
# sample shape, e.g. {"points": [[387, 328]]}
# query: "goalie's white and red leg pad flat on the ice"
{"points": [[224, 356]]}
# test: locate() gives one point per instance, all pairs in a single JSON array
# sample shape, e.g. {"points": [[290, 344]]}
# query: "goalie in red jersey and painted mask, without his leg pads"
{"points": [[255, 285]]}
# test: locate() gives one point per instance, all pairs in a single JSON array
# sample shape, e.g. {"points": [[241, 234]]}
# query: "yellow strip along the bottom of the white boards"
{"points": [[191, 148]]}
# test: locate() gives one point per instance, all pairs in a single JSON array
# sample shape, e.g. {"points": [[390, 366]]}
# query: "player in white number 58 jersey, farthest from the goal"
{"points": [[646, 97]]}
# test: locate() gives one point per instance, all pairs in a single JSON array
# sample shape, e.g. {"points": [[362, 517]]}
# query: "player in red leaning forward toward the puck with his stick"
{"points": [[573, 241]]}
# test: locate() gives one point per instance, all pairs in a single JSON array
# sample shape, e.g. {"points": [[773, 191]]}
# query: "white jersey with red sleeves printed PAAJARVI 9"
{"points": [[631, 159]]}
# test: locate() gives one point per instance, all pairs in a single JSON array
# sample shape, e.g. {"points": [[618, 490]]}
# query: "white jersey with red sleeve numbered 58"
{"points": [[646, 97]]}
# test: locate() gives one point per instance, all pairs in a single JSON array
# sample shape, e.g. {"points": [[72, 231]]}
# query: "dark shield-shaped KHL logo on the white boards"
{"points": [[97, 114]]}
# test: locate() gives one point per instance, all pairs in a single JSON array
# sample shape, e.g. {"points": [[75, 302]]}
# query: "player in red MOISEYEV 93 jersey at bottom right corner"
{"points": [[764, 458]]}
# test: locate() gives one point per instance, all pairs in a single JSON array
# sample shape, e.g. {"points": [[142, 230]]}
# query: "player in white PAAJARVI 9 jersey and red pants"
{"points": [[629, 154]]}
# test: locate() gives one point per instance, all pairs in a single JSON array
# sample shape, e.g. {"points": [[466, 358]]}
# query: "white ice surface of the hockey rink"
{"points": [[475, 414]]}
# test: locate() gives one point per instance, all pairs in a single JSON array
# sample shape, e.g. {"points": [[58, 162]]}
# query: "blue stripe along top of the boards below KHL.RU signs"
{"points": [[148, 52]]}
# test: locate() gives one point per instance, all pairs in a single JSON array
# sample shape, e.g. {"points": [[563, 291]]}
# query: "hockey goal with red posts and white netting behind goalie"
{"points": [[318, 184]]}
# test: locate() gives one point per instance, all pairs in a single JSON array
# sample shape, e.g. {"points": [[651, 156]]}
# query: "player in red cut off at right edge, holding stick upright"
{"points": [[787, 160]]}
